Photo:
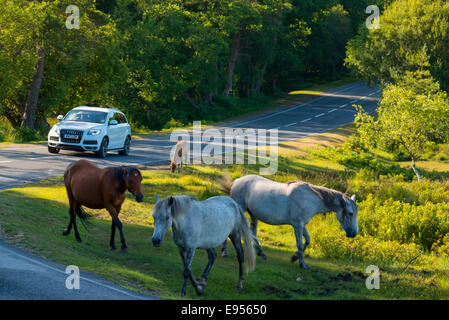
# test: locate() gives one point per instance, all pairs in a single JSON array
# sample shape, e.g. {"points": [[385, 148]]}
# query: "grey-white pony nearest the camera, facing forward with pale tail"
{"points": [[203, 225]]}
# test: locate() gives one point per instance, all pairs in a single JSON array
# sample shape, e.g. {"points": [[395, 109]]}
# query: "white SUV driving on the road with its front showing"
{"points": [[91, 129]]}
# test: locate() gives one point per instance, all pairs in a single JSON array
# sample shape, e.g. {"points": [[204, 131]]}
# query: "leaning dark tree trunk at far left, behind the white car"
{"points": [[29, 115]]}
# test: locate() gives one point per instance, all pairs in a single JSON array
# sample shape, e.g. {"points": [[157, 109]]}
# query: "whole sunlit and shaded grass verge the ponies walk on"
{"points": [[33, 218]]}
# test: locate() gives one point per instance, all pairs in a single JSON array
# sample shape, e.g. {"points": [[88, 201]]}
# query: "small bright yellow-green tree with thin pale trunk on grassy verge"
{"points": [[413, 114]]}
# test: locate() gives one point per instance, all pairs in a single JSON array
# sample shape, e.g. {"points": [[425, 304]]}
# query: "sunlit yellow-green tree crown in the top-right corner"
{"points": [[405, 27]]}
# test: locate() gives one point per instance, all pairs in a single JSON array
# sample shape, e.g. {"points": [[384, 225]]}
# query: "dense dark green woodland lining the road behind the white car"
{"points": [[170, 60]]}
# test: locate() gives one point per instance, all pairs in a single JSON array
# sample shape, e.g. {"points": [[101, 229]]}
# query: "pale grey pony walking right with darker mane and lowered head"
{"points": [[293, 203]]}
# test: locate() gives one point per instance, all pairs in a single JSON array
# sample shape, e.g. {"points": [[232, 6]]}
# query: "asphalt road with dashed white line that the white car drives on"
{"points": [[22, 165]]}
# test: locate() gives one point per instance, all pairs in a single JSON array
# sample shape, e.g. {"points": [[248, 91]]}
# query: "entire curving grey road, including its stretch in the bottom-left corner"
{"points": [[24, 276]]}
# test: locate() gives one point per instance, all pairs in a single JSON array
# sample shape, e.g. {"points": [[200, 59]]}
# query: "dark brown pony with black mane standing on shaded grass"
{"points": [[96, 188]]}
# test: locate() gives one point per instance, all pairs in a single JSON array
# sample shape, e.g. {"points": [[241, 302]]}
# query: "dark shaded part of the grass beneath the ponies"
{"points": [[159, 270]]}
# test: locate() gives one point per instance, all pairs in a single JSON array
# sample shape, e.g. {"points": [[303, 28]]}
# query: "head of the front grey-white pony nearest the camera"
{"points": [[163, 218]]}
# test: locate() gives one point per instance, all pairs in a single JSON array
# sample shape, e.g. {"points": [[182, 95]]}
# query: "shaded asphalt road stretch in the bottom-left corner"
{"points": [[25, 276]]}
